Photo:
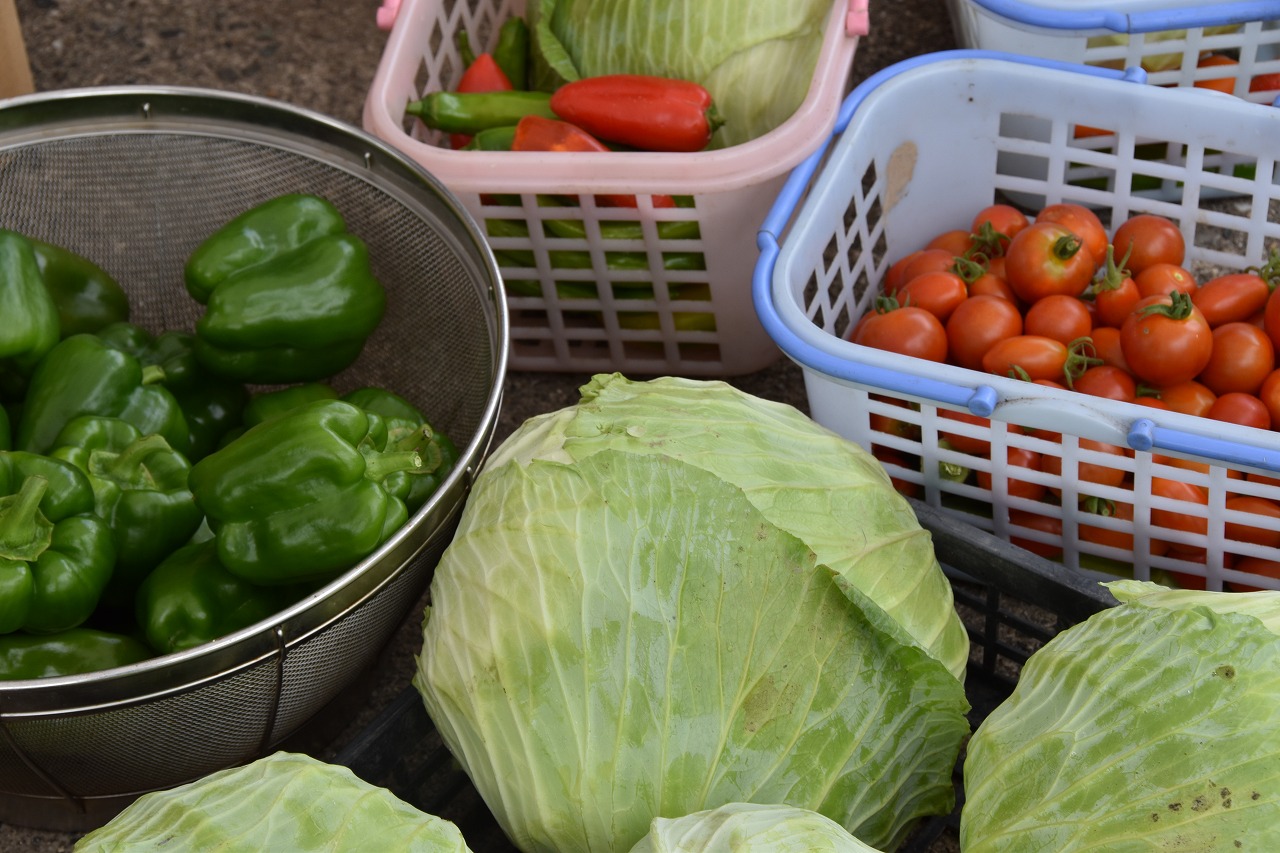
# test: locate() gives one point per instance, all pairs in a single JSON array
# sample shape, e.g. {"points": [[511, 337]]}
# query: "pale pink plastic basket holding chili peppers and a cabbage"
{"points": [[684, 305]]}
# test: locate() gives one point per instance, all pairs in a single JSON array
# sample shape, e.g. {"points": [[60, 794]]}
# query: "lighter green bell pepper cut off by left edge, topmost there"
{"points": [[29, 318]]}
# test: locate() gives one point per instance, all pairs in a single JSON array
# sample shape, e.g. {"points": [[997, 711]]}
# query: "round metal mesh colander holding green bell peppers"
{"points": [[135, 180]]}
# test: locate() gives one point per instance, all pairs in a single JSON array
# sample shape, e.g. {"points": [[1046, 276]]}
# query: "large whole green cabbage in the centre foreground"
{"points": [[674, 596]]}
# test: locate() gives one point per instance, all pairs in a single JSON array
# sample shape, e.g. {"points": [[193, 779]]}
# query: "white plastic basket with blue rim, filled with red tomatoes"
{"points": [[922, 147]]}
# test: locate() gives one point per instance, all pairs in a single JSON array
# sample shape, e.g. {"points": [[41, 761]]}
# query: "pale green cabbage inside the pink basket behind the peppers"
{"points": [[758, 67]]}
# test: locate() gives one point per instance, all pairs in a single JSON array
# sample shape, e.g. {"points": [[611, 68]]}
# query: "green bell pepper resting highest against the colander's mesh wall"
{"points": [[289, 294]]}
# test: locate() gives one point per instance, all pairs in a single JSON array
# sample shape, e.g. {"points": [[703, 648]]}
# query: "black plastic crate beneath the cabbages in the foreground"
{"points": [[1011, 600]]}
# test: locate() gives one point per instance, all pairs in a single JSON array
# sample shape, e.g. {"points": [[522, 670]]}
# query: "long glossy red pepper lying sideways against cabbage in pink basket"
{"points": [[643, 112]]}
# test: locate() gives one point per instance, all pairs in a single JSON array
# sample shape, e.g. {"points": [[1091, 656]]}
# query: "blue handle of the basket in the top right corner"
{"points": [[1210, 15]]}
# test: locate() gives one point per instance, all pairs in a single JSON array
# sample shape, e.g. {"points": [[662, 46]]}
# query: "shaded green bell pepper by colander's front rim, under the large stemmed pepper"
{"points": [[190, 600]]}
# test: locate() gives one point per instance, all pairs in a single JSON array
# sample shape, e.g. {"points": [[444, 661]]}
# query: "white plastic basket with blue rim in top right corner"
{"points": [[1168, 38]]}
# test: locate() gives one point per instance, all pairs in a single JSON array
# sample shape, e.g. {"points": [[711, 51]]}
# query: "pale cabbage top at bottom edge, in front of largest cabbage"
{"points": [[749, 828]]}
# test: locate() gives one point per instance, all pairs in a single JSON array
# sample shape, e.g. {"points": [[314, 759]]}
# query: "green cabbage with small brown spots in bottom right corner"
{"points": [[1151, 726]]}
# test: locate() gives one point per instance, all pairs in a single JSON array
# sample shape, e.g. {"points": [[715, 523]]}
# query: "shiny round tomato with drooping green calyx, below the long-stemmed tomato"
{"points": [[1167, 340]]}
